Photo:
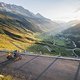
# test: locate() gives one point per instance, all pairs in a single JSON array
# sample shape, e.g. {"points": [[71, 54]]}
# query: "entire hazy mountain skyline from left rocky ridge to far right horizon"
{"points": [[34, 22]]}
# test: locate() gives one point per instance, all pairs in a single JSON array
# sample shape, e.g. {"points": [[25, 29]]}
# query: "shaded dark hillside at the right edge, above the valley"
{"points": [[73, 34]]}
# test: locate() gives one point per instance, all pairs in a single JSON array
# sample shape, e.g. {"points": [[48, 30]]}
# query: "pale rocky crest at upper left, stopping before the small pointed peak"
{"points": [[16, 9]]}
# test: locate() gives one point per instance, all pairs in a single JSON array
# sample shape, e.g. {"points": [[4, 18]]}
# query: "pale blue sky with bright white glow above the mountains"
{"points": [[59, 10]]}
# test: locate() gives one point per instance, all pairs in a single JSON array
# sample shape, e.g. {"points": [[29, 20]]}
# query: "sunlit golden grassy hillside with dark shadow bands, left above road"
{"points": [[13, 35]]}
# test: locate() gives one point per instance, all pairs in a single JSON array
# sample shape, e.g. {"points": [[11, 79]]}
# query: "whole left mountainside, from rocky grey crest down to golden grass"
{"points": [[18, 25]]}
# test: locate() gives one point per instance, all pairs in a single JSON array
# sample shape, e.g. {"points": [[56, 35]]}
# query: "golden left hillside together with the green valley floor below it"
{"points": [[13, 36]]}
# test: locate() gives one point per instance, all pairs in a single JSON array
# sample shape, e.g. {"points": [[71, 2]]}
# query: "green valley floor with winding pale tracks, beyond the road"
{"points": [[59, 48]]}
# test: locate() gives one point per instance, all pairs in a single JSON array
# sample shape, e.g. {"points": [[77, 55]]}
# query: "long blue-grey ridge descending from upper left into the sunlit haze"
{"points": [[44, 24]]}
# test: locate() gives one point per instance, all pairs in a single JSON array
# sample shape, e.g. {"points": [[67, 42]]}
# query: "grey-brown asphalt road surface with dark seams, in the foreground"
{"points": [[35, 67]]}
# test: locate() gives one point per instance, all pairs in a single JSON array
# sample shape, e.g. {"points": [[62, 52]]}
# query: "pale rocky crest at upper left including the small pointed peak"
{"points": [[19, 10]]}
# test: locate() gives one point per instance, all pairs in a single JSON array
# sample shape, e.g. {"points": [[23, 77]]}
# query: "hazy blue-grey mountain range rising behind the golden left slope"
{"points": [[39, 22]]}
